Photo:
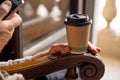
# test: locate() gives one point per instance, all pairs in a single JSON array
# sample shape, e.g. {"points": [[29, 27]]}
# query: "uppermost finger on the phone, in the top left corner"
{"points": [[5, 8]]}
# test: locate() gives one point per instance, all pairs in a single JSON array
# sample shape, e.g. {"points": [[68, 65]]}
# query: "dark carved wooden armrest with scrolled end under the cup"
{"points": [[49, 64]]}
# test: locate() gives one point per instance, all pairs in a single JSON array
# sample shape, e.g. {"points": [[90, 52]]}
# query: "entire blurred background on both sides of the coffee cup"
{"points": [[44, 25]]}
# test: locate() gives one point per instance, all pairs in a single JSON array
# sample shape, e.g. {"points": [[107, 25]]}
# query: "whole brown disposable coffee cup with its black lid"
{"points": [[78, 31]]}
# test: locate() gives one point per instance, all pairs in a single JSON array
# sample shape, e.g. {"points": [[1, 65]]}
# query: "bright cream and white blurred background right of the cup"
{"points": [[108, 36]]}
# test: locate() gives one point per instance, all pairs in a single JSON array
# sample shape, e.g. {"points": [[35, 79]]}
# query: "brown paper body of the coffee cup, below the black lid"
{"points": [[78, 38]]}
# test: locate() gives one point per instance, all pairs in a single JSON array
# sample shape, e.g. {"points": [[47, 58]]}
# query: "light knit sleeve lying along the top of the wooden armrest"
{"points": [[16, 61]]}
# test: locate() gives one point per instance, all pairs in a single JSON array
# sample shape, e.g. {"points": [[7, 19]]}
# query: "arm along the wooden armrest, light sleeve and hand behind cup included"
{"points": [[62, 48]]}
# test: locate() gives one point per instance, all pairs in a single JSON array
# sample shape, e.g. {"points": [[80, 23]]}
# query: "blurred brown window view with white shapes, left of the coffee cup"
{"points": [[44, 23]]}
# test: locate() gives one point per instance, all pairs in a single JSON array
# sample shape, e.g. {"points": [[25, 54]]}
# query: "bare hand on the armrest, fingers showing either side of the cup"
{"points": [[63, 48]]}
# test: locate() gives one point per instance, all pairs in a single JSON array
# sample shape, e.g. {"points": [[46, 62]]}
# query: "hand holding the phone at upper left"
{"points": [[8, 26]]}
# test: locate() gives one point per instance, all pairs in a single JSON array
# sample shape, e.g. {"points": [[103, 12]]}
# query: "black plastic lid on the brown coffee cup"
{"points": [[78, 20]]}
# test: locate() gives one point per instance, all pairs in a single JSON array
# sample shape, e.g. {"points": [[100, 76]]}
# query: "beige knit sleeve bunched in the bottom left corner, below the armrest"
{"points": [[5, 76]]}
